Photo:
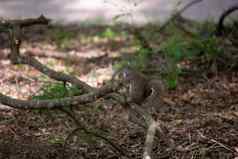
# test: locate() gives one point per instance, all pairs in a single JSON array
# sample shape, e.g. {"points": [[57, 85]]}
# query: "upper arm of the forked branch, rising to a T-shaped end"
{"points": [[15, 41]]}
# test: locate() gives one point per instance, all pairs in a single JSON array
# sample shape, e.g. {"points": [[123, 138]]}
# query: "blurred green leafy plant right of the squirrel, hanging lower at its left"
{"points": [[179, 48]]}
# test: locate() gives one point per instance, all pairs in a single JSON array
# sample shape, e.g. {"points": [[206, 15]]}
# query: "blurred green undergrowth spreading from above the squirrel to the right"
{"points": [[176, 48]]}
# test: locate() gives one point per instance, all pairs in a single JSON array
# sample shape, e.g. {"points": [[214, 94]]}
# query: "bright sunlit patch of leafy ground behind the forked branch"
{"points": [[89, 56]]}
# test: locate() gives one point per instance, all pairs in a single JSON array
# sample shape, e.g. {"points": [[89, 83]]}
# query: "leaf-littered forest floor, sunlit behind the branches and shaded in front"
{"points": [[201, 114]]}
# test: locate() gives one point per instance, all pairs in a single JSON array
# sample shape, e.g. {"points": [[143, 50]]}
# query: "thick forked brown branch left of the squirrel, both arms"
{"points": [[16, 58]]}
